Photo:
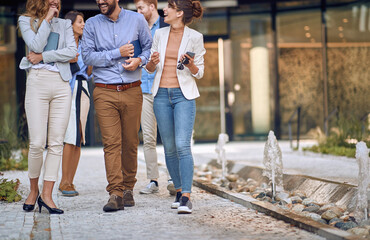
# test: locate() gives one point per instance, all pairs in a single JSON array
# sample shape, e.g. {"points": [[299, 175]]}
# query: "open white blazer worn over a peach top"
{"points": [[192, 41]]}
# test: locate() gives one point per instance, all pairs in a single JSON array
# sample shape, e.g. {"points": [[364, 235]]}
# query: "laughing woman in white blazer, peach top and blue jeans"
{"points": [[175, 89]]}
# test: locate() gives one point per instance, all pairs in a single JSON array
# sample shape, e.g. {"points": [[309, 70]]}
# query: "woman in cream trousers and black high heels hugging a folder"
{"points": [[48, 95]]}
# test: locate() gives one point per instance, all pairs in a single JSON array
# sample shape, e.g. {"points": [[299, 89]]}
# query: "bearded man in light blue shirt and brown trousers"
{"points": [[106, 45]]}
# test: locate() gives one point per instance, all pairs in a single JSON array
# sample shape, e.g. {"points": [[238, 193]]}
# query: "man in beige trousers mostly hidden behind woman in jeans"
{"points": [[148, 121]]}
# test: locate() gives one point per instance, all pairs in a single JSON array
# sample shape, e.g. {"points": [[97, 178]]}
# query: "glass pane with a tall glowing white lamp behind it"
{"points": [[248, 81]]}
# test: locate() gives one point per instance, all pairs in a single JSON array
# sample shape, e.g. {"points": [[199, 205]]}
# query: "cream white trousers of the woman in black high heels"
{"points": [[47, 105]]}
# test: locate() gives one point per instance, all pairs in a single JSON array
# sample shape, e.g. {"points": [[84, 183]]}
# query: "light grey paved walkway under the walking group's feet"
{"points": [[151, 218]]}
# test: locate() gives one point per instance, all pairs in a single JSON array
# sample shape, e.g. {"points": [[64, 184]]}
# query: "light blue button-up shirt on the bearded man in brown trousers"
{"points": [[101, 40]]}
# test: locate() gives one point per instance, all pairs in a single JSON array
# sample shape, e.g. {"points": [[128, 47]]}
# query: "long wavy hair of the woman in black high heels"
{"points": [[37, 9]]}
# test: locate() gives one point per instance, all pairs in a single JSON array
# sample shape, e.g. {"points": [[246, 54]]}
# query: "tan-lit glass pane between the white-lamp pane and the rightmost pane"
{"points": [[300, 71]]}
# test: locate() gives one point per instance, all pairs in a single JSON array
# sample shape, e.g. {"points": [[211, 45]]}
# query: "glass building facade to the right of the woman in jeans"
{"points": [[319, 62]]}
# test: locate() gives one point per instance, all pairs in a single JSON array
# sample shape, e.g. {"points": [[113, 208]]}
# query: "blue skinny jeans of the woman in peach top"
{"points": [[175, 118]]}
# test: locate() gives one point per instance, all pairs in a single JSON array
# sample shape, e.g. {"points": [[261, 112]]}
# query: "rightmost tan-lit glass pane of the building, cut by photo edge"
{"points": [[348, 59]]}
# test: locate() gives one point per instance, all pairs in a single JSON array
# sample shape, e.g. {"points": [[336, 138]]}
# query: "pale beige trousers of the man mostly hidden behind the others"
{"points": [[149, 129]]}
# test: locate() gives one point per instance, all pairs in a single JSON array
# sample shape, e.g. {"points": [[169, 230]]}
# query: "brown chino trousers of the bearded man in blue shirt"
{"points": [[119, 116]]}
